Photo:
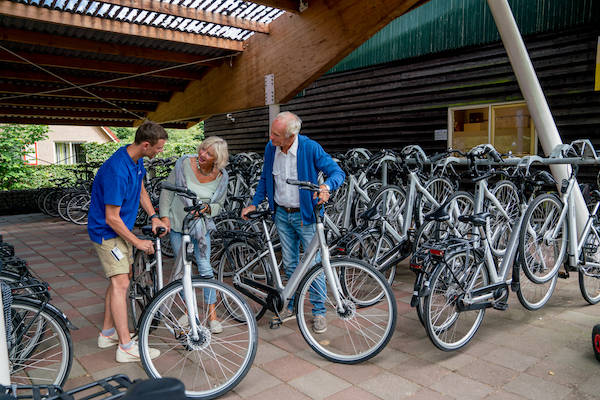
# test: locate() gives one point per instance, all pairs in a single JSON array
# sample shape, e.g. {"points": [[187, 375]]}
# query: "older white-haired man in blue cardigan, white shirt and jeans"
{"points": [[290, 155]]}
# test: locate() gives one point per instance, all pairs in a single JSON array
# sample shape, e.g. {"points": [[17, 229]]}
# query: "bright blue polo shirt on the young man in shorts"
{"points": [[118, 182]]}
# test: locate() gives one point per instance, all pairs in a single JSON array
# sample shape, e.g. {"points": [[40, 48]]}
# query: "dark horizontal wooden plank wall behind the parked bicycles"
{"points": [[395, 104]]}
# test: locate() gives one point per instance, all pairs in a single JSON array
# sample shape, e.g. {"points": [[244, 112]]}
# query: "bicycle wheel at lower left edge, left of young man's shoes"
{"points": [[46, 360]]}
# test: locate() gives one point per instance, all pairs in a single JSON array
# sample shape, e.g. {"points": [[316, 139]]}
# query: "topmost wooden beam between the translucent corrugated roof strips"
{"points": [[191, 13]]}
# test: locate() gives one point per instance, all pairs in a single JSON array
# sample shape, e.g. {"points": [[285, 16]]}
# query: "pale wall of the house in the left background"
{"points": [[67, 133]]}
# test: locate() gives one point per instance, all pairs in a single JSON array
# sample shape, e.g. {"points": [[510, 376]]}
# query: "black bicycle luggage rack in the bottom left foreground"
{"points": [[109, 388]]}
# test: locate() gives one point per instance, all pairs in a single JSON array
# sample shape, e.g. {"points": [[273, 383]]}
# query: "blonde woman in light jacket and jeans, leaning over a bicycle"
{"points": [[205, 175]]}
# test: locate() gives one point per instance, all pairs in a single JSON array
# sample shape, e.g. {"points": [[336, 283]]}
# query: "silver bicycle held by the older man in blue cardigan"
{"points": [[358, 301]]}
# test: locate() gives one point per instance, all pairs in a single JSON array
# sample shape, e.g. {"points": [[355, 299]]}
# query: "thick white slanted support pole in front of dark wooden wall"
{"points": [[534, 96]]}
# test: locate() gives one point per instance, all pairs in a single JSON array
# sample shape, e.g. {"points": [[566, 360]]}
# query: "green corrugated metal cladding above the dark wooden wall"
{"points": [[451, 24]]}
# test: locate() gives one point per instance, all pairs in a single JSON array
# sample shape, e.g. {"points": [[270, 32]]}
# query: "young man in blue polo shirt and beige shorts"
{"points": [[117, 193]]}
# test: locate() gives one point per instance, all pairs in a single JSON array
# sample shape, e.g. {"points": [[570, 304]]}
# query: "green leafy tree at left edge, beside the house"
{"points": [[14, 142]]}
